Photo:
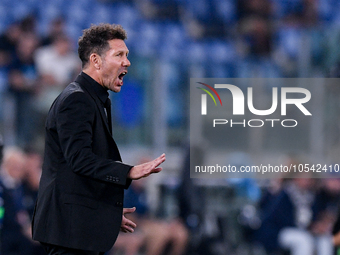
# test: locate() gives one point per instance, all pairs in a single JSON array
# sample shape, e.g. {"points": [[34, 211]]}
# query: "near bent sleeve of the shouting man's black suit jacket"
{"points": [[75, 117]]}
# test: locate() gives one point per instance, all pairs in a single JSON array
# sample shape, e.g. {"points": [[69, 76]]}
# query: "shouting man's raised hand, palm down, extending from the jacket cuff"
{"points": [[145, 169]]}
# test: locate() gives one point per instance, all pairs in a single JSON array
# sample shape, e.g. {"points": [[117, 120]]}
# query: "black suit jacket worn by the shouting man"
{"points": [[81, 191]]}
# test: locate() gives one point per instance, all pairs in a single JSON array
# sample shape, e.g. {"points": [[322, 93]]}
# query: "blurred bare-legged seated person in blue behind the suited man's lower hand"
{"points": [[156, 234]]}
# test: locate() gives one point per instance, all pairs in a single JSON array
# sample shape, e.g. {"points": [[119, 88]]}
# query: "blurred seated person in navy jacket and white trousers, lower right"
{"points": [[287, 220]]}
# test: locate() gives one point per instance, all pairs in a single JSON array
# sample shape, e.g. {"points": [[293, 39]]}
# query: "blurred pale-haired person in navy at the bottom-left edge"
{"points": [[15, 234]]}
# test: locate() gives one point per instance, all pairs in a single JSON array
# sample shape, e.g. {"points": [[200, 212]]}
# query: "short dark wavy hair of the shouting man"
{"points": [[95, 40]]}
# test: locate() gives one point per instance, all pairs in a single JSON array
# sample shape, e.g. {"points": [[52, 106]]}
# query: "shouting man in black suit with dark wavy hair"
{"points": [[79, 209]]}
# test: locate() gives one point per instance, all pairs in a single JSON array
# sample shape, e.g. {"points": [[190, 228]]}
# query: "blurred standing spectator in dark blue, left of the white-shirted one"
{"points": [[22, 85]]}
